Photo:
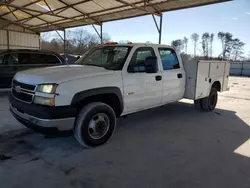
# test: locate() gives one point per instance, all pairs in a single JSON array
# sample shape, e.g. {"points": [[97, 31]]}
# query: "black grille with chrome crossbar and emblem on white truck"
{"points": [[23, 92]]}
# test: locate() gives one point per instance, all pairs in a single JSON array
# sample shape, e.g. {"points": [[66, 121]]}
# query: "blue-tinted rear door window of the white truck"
{"points": [[169, 59]]}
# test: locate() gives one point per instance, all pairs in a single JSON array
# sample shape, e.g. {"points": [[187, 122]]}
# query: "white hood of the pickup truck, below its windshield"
{"points": [[59, 74]]}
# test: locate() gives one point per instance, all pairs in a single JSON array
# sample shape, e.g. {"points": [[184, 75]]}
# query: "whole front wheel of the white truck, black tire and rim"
{"points": [[95, 124]]}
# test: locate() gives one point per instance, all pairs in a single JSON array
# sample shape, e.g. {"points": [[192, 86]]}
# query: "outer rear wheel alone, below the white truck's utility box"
{"points": [[209, 103]]}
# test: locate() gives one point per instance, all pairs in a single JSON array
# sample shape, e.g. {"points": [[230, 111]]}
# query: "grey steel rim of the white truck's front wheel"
{"points": [[98, 126]]}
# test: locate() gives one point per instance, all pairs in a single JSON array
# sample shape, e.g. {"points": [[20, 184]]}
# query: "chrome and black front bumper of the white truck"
{"points": [[50, 125]]}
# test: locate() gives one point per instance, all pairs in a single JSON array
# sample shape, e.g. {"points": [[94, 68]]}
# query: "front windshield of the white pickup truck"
{"points": [[108, 57]]}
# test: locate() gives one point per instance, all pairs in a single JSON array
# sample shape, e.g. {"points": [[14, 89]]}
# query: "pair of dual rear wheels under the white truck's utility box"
{"points": [[208, 103]]}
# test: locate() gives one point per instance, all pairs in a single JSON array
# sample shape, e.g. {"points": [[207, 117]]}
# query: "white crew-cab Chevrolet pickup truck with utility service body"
{"points": [[110, 81]]}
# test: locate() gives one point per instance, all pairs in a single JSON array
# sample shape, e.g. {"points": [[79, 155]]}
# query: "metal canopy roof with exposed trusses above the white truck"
{"points": [[47, 15]]}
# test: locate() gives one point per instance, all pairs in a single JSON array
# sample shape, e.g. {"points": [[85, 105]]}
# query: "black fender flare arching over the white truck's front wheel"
{"points": [[102, 90]]}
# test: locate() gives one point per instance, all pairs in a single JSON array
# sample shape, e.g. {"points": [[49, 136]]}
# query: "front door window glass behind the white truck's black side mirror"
{"points": [[137, 62]]}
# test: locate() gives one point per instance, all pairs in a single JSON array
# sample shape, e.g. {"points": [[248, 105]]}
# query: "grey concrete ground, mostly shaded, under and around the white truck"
{"points": [[172, 146]]}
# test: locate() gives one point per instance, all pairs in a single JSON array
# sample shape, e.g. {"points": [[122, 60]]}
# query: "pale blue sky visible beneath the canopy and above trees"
{"points": [[233, 17]]}
